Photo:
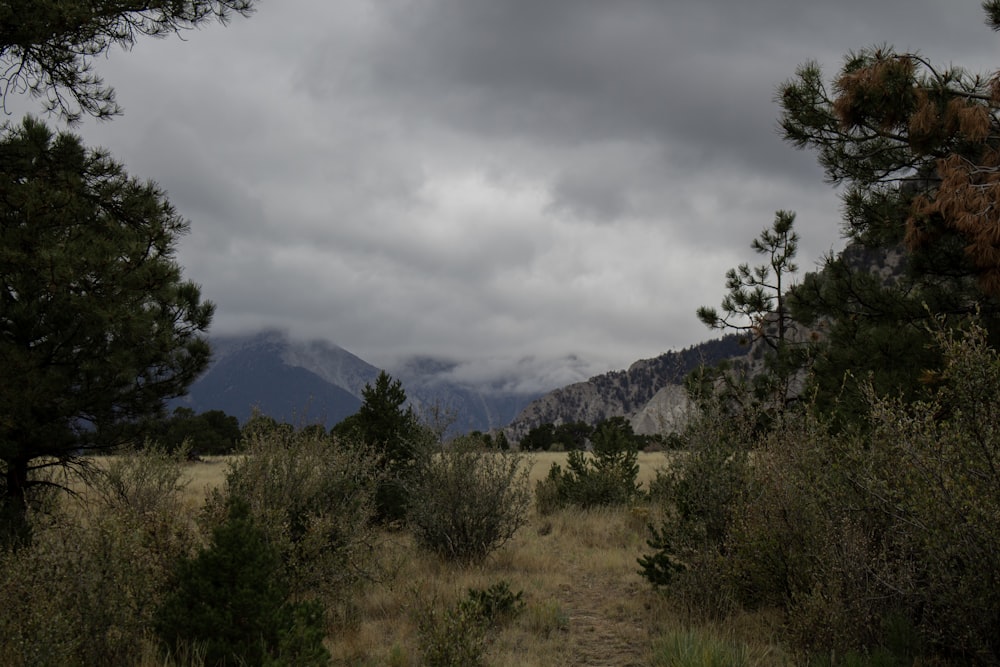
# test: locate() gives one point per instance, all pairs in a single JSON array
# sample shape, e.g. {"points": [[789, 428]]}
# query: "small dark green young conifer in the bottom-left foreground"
{"points": [[231, 599]]}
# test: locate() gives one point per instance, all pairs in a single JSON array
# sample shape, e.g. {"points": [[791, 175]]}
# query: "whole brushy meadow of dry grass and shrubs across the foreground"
{"points": [[774, 547]]}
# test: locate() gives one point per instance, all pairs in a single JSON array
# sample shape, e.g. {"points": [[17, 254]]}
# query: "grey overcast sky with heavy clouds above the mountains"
{"points": [[548, 185]]}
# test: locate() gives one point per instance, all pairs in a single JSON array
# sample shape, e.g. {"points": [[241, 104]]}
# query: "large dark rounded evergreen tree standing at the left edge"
{"points": [[97, 326]]}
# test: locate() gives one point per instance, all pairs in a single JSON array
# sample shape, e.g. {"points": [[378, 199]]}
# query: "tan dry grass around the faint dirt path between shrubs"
{"points": [[585, 603]]}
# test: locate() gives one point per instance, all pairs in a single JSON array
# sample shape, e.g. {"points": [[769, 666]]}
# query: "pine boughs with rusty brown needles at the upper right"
{"points": [[918, 149]]}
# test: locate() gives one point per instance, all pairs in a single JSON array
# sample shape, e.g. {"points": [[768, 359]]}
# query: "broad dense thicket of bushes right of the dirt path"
{"points": [[881, 540]]}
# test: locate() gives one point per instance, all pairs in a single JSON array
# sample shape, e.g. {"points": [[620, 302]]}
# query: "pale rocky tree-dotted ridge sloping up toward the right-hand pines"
{"points": [[649, 393]]}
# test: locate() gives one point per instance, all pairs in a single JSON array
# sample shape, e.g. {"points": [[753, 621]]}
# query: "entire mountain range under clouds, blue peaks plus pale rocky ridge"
{"points": [[305, 382]]}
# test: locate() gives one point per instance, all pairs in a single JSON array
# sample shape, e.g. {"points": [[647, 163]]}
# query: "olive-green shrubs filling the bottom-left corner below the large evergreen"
{"points": [[87, 587]]}
